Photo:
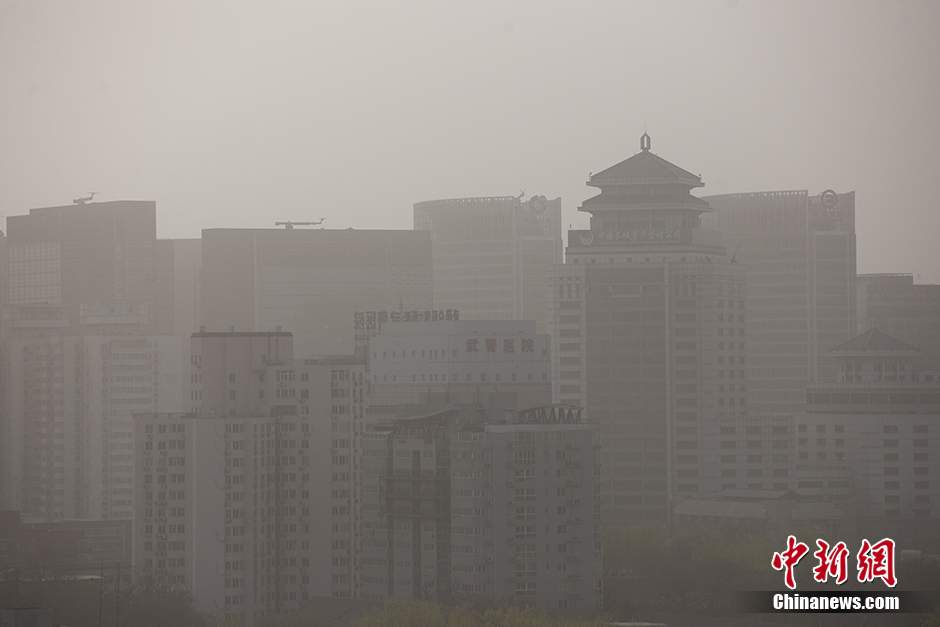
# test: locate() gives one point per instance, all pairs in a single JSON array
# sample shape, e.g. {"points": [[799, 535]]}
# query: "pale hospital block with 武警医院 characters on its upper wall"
{"points": [[461, 361]]}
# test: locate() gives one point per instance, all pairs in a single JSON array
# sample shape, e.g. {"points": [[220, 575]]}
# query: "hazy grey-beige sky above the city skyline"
{"points": [[237, 114]]}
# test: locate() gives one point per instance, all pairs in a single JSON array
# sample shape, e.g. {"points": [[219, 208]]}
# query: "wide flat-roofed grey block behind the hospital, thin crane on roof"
{"points": [[310, 282]]}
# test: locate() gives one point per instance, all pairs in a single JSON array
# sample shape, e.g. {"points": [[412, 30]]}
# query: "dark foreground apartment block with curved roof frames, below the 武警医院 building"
{"points": [[457, 507]]}
